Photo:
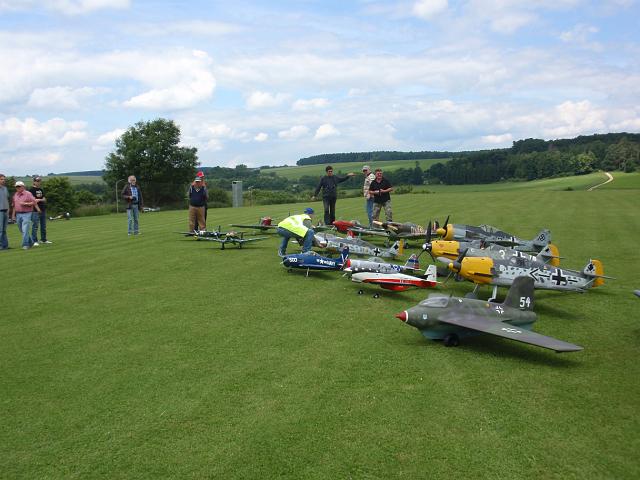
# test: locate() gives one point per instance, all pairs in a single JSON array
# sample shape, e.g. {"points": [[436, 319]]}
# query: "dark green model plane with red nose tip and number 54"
{"points": [[452, 318]]}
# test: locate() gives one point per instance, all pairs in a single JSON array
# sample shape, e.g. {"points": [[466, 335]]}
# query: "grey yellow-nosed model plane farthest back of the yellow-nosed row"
{"points": [[490, 234]]}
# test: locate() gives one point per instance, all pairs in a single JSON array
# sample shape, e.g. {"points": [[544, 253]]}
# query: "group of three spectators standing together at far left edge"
{"points": [[28, 209]]}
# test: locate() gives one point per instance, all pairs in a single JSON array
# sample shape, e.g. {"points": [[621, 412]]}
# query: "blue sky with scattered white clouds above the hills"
{"points": [[269, 82]]}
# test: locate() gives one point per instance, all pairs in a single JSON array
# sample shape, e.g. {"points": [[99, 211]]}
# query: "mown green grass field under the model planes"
{"points": [[161, 357]]}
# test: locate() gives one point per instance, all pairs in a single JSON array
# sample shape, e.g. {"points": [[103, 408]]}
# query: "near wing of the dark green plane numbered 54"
{"points": [[505, 330]]}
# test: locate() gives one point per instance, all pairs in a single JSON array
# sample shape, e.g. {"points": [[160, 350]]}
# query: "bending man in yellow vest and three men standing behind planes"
{"points": [[377, 193]]}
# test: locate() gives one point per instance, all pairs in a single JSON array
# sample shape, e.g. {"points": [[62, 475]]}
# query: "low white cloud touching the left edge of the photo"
{"points": [[30, 133]]}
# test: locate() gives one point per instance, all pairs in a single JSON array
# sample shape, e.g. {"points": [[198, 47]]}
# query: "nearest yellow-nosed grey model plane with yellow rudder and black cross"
{"points": [[489, 271]]}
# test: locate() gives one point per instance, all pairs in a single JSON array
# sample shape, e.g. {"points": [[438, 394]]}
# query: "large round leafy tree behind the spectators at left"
{"points": [[150, 151]]}
